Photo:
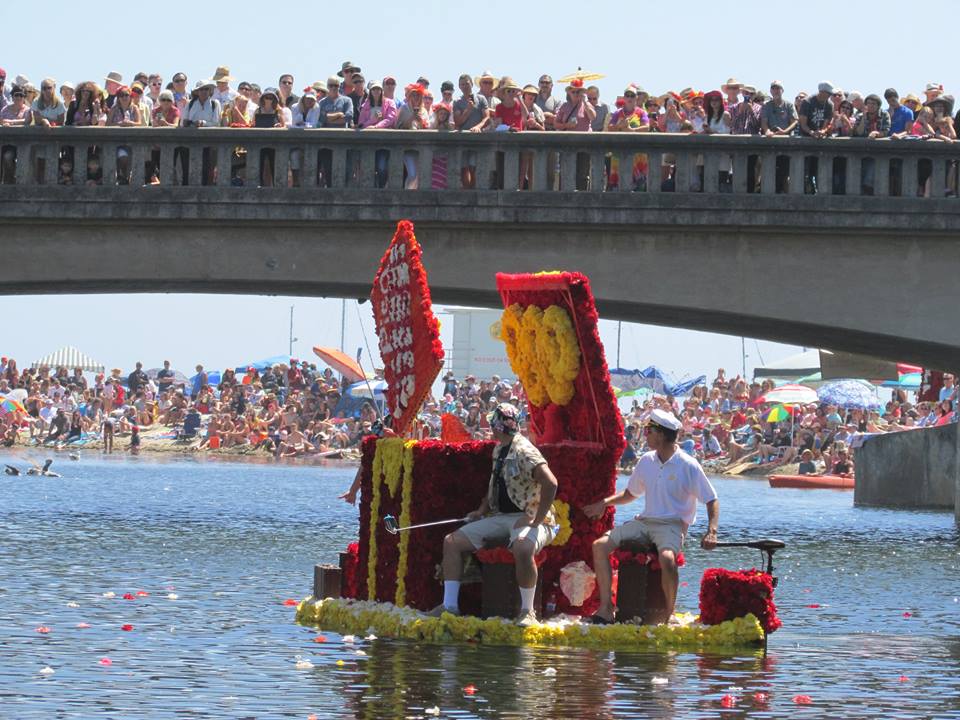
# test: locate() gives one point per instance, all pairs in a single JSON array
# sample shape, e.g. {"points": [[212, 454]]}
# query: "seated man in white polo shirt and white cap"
{"points": [[671, 482]]}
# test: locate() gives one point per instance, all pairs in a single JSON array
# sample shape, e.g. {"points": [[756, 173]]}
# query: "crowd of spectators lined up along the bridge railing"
{"points": [[484, 103]]}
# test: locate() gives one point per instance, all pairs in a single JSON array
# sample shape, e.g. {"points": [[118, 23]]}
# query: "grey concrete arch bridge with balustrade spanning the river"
{"points": [[843, 268]]}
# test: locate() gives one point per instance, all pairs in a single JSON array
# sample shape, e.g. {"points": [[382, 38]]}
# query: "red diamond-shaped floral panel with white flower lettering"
{"points": [[408, 331]]}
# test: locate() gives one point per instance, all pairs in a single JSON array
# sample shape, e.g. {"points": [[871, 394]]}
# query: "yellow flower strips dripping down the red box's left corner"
{"points": [[393, 468]]}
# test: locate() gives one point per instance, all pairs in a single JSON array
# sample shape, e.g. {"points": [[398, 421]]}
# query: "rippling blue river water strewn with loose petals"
{"points": [[232, 541]]}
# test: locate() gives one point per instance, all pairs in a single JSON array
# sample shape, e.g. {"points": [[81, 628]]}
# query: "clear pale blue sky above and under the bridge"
{"points": [[661, 46]]}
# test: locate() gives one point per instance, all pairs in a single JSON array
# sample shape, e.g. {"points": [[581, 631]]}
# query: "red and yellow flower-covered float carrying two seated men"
{"points": [[391, 575]]}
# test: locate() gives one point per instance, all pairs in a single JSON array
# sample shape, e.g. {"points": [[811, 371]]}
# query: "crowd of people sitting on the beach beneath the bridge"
{"points": [[295, 409]]}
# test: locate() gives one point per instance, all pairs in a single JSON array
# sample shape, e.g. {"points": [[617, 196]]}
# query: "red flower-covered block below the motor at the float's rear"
{"points": [[727, 594]]}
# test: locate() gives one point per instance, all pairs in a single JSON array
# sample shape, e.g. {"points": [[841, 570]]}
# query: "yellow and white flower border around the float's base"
{"points": [[386, 620]]}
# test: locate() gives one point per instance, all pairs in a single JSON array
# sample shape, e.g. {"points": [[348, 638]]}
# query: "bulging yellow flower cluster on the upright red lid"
{"points": [[543, 350]]}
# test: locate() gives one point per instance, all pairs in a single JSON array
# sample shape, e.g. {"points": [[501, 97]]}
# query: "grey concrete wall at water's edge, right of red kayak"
{"points": [[914, 469]]}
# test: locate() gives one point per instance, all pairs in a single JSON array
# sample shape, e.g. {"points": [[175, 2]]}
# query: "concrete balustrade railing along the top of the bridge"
{"points": [[282, 160]]}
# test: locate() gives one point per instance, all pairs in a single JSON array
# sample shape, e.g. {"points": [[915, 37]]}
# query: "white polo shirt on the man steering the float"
{"points": [[670, 489]]}
